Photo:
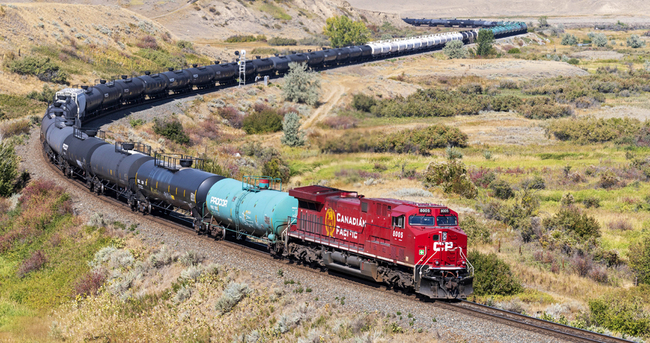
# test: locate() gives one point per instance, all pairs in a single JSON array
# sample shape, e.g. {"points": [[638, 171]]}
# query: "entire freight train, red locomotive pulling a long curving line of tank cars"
{"points": [[406, 245]]}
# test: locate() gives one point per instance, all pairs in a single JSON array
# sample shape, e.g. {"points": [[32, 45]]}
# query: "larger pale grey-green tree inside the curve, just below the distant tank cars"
{"points": [[301, 85]]}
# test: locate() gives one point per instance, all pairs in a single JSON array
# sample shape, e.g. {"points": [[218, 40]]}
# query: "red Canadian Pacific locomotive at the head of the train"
{"points": [[406, 245]]}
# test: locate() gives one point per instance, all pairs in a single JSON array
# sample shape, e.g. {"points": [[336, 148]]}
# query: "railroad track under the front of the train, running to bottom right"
{"points": [[563, 332]]}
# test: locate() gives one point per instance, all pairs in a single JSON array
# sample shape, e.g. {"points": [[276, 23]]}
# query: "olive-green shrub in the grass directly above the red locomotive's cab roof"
{"points": [[452, 177]]}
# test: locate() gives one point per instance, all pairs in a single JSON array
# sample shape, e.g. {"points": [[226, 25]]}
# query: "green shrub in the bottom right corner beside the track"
{"points": [[623, 311]]}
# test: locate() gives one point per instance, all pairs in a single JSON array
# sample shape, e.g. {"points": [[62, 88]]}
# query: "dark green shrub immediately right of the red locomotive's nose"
{"points": [[492, 275]]}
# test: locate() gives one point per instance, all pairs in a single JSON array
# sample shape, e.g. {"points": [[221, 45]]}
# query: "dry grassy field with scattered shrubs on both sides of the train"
{"points": [[557, 148]]}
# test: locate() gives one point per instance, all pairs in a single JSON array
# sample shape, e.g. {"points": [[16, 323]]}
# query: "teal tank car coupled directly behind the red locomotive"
{"points": [[251, 207]]}
